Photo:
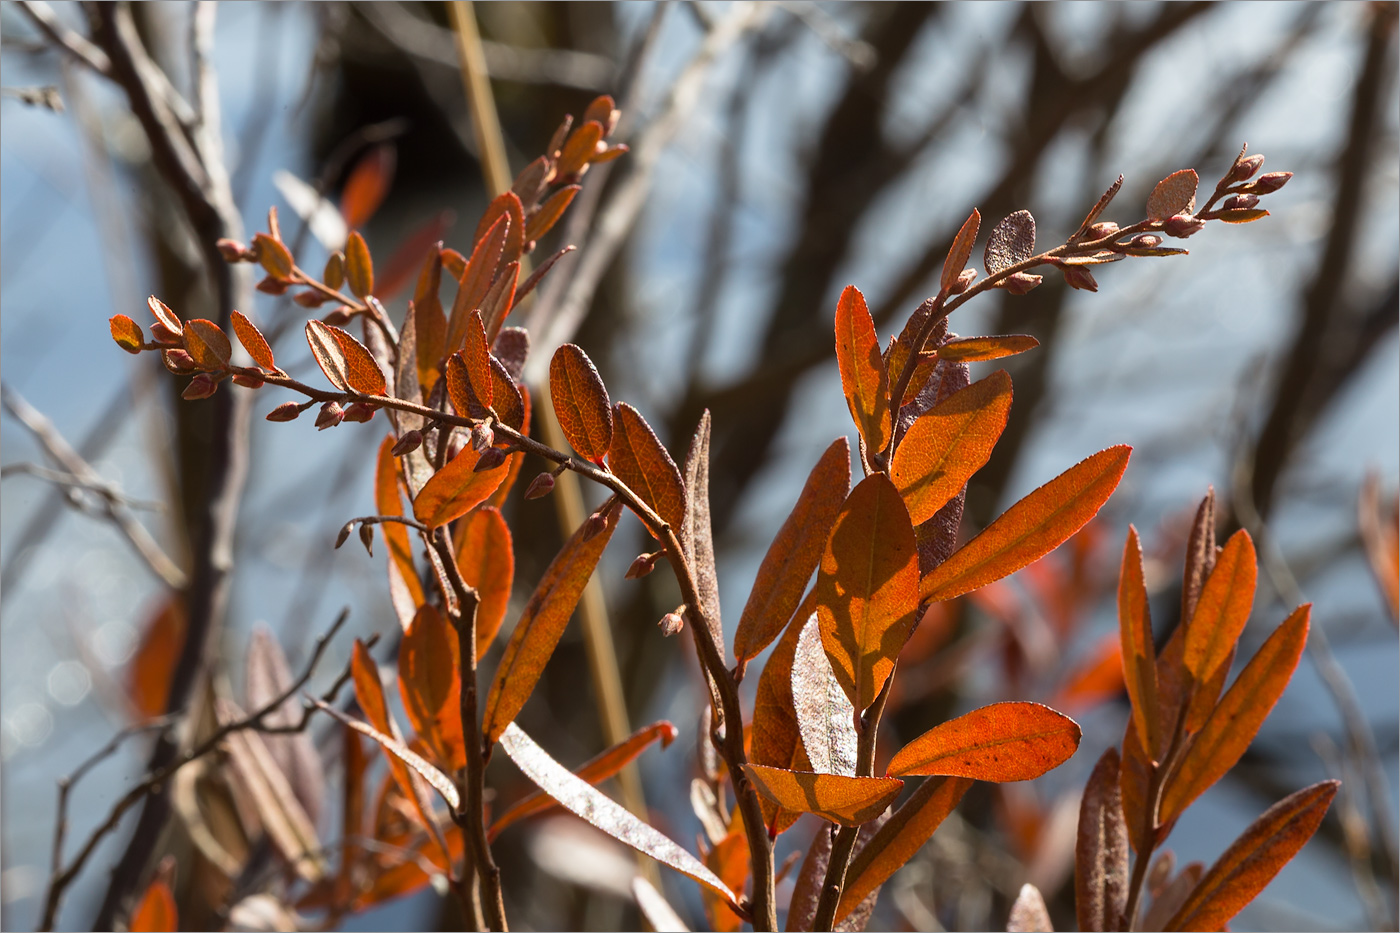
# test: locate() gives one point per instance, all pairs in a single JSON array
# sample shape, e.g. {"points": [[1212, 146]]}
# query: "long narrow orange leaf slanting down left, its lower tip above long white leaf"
{"points": [[544, 621]]}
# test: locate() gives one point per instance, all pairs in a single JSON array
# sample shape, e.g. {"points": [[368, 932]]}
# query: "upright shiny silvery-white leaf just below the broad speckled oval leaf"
{"points": [[825, 717]]}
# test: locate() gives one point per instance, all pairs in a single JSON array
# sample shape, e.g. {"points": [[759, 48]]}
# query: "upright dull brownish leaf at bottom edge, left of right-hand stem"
{"points": [[1101, 855]]}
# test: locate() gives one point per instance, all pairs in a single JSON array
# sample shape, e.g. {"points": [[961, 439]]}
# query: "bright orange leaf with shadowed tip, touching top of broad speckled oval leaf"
{"points": [[950, 443]]}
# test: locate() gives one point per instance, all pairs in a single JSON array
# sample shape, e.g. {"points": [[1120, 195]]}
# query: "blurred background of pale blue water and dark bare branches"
{"points": [[813, 146]]}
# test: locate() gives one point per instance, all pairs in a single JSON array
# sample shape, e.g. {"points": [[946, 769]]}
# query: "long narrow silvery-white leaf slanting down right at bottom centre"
{"points": [[579, 798]]}
